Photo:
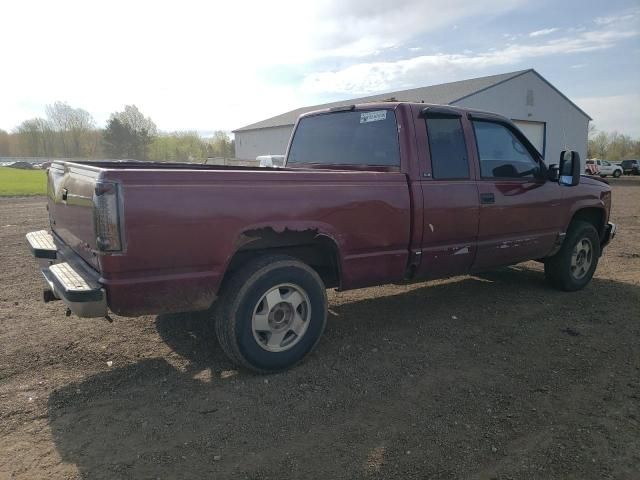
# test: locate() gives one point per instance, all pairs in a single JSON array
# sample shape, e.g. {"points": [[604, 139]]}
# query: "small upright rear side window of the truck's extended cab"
{"points": [[449, 159]]}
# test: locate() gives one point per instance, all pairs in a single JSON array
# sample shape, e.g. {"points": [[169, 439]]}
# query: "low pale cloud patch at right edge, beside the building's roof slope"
{"points": [[619, 113]]}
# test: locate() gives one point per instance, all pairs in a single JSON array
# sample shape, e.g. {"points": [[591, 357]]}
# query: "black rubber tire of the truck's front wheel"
{"points": [[558, 269]]}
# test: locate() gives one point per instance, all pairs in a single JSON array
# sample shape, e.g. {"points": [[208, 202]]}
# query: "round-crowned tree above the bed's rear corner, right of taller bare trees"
{"points": [[129, 134]]}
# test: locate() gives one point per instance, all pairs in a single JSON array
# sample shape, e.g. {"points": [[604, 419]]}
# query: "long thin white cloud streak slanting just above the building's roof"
{"points": [[374, 77]]}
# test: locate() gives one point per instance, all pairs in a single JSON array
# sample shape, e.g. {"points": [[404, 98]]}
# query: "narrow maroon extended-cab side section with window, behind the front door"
{"points": [[449, 191]]}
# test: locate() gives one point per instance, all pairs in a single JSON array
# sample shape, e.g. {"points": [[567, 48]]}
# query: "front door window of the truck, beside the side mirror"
{"points": [[501, 154]]}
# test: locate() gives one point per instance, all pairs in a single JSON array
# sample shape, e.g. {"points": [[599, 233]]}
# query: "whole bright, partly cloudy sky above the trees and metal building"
{"points": [[205, 65]]}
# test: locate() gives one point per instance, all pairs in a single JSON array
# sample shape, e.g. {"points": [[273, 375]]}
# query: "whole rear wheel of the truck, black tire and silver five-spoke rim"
{"points": [[271, 313]]}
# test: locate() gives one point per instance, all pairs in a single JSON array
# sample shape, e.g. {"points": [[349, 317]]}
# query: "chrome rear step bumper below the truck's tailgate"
{"points": [[68, 278]]}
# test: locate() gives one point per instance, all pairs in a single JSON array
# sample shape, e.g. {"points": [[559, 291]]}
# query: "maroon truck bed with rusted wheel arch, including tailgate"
{"points": [[182, 223]]}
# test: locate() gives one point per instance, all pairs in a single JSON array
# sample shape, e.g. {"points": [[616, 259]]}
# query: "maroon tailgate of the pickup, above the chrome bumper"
{"points": [[71, 189]]}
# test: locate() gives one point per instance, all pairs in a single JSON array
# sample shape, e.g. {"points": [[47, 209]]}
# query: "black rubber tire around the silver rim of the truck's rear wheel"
{"points": [[241, 296]]}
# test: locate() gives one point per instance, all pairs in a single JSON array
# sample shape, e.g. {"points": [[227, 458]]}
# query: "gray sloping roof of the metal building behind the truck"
{"points": [[443, 94]]}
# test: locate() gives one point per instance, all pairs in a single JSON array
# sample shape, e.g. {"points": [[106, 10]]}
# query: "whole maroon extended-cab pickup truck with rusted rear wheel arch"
{"points": [[370, 194]]}
